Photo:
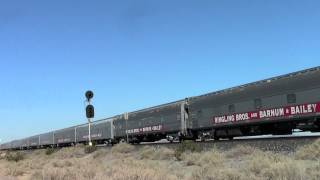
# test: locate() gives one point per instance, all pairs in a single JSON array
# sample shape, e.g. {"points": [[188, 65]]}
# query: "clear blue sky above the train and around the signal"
{"points": [[136, 54]]}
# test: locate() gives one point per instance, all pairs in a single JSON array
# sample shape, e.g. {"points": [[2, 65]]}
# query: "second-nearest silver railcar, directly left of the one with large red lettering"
{"points": [[152, 124]]}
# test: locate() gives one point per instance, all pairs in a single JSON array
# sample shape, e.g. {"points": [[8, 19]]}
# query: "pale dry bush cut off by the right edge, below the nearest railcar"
{"points": [[309, 152]]}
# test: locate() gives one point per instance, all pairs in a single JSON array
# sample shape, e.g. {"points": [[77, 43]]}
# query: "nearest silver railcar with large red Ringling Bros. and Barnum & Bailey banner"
{"points": [[273, 106]]}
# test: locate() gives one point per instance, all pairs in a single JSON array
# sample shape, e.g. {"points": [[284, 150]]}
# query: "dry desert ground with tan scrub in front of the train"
{"points": [[126, 162]]}
